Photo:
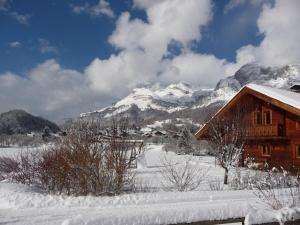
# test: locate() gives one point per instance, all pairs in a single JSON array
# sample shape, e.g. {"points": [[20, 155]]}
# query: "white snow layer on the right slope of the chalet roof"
{"points": [[287, 97]]}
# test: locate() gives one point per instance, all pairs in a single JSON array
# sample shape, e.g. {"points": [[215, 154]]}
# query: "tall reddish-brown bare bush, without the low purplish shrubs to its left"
{"points": [[87, 163]]}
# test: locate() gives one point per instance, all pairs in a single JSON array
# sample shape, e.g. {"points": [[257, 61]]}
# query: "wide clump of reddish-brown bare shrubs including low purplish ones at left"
{"points": [[85, 161]]}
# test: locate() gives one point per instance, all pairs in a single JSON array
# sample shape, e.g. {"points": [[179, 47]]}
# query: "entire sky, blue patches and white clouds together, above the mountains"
{"points": [[59, 58]]}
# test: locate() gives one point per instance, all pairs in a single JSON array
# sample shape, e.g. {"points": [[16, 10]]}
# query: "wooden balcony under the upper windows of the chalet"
{"points": [[263, 131]]}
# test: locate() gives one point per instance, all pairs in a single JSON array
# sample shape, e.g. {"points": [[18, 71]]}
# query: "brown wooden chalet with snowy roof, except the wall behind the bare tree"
{"points": [[271, 125]]}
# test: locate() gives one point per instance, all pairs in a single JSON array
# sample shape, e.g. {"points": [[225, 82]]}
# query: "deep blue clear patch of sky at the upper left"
{"points": [[78, 39]]}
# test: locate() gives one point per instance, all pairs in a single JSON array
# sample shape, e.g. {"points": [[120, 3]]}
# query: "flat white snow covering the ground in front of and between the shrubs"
{"points": [[21, 204]]}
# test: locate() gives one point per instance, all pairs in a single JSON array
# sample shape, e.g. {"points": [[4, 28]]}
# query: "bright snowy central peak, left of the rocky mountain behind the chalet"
{"points": [[171, 98]]}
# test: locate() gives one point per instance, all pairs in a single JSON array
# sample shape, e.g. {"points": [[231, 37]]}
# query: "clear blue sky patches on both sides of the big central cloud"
{"points": [[78, 39]]}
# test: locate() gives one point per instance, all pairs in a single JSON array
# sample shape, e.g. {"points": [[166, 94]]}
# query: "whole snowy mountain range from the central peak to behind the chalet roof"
{"points": [[181, 100]]}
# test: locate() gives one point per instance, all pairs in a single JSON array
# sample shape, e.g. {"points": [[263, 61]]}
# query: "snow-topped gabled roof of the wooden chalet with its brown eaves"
{"points": [[288, 100]]}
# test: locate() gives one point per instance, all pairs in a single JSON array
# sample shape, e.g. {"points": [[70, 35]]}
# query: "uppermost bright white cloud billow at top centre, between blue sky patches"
{"points": [[167, 21]]}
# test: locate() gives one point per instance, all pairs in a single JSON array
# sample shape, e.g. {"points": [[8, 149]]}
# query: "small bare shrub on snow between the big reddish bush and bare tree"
{"points": [[186, 176]]}
